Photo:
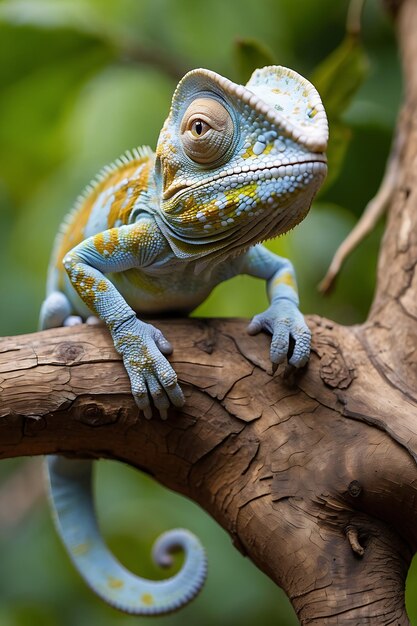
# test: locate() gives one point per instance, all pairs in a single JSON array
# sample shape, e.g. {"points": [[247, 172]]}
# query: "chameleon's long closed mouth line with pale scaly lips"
{"points": [[313, 164]]}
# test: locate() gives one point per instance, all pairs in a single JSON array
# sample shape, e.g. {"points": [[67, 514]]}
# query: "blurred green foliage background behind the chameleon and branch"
{"points": [[81, 81]]}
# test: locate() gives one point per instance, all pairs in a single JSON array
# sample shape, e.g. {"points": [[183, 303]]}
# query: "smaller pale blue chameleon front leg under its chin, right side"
{"points": [[282, 318]]}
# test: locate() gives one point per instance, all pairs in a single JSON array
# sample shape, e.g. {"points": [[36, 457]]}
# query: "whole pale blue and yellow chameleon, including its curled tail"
{"points": [[156, 232]]}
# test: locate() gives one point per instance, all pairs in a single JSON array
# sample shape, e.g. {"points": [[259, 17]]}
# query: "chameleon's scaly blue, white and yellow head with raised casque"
{"points": [[240, 162]]}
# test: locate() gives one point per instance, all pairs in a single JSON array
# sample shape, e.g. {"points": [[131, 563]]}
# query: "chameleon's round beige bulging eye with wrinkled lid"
{"points": [[206, 131]]}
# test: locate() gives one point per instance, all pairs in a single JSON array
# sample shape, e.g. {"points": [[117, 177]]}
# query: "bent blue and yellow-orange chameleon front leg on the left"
{"points": [[141, 345]]}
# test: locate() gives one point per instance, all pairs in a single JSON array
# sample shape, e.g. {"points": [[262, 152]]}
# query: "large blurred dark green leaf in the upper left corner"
{"points": [[42, 73]]}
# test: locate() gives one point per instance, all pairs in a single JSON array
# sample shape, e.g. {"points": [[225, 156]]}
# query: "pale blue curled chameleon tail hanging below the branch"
{"points": [[72, 502]]}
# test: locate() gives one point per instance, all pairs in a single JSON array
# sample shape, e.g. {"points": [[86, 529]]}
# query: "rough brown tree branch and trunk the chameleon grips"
{"points": [[314, 475]]}
